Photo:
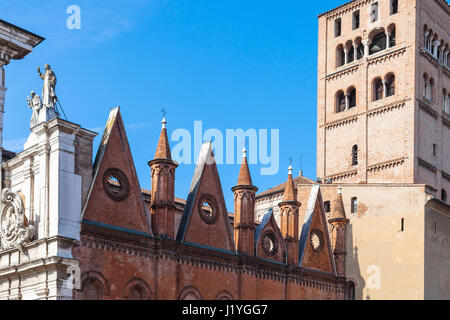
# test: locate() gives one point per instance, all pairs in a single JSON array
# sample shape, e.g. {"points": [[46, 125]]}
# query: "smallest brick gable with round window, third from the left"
{"points": [[269, 242]]}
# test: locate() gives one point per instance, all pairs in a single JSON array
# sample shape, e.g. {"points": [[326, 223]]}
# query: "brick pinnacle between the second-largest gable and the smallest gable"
{"points": [[244, 210]]}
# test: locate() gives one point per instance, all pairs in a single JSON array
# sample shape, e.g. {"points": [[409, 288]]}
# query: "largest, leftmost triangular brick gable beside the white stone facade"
{"points": [[115, 195]]}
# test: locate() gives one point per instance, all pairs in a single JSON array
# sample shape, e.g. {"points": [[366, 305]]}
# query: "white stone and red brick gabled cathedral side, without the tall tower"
{"points": [[75, 227]]}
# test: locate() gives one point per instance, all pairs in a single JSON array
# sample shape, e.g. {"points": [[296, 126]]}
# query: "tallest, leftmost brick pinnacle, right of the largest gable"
{"points": [[163, 187]]}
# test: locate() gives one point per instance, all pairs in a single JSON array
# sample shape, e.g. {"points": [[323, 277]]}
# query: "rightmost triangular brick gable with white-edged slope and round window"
{"points": [[315, 246]]}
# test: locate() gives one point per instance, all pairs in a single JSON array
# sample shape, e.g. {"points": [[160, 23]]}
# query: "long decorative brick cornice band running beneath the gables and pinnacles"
{"points": [[164, 249]]}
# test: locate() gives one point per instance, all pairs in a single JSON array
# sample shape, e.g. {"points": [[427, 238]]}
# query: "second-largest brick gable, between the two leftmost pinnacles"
{"points": [[205, 218]]}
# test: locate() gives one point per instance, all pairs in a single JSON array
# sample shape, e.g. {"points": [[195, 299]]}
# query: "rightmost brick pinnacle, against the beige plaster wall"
{"points": [[338, 223]]}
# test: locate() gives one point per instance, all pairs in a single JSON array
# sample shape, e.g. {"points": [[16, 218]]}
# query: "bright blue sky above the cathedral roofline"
{"points": [[230, 64]]}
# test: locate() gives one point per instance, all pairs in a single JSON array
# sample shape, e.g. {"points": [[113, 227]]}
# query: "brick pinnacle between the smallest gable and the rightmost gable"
{"points": [[289, 220]]}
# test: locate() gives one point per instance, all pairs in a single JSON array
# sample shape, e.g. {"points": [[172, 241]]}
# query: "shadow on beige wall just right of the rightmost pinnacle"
{"points": [[353, 268]]}
